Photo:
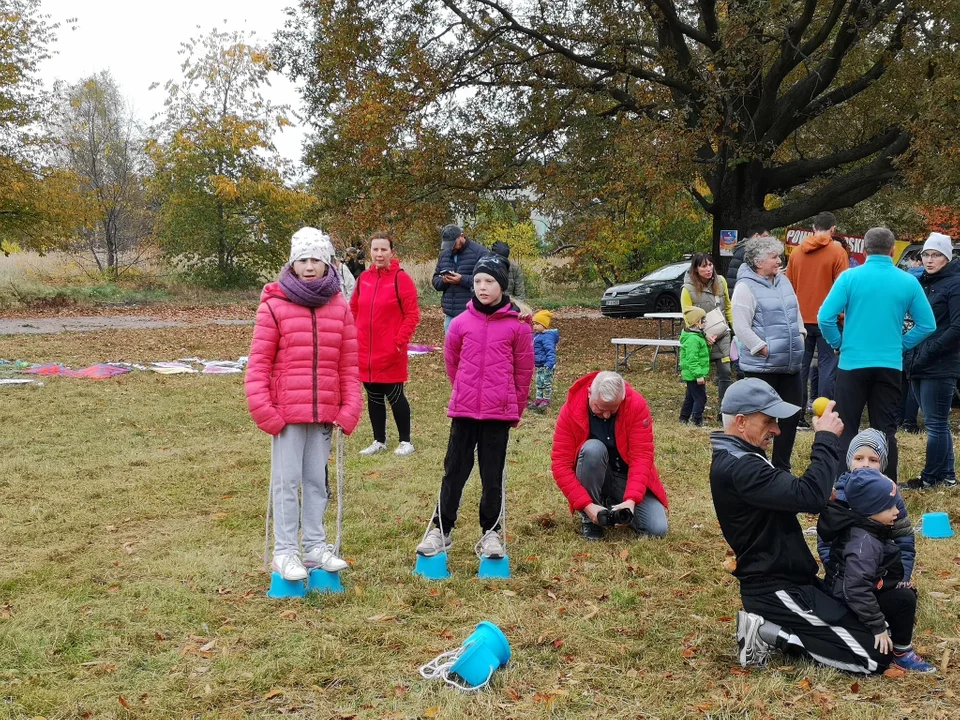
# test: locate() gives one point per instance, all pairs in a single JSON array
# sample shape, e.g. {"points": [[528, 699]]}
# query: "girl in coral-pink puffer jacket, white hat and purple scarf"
{"points": [[302, 379]]}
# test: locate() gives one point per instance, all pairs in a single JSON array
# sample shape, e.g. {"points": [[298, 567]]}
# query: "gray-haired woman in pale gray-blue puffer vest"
{"points": [[770, 333]]}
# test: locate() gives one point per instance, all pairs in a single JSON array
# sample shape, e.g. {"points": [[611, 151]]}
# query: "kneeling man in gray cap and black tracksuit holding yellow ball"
{"points": [[757, 505]]}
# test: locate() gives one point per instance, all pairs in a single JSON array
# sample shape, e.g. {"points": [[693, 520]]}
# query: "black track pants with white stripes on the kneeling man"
{"points": [[820, 627]]}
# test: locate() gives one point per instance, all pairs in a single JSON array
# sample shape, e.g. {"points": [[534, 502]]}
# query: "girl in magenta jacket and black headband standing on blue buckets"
{"points": [[489, 356]]}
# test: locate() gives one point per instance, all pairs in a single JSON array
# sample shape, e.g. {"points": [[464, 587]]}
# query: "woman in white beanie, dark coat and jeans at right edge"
{"points": [[934, 366]]}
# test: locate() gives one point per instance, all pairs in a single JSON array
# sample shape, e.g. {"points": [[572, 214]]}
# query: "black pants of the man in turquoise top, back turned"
{"points": [[877, 389]]}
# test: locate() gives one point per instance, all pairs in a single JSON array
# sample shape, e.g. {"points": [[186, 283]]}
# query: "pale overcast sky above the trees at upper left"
{"points": [[138, 43]]}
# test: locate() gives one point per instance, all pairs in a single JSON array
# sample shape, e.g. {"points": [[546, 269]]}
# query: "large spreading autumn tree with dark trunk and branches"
{"points": [[815, 102]]}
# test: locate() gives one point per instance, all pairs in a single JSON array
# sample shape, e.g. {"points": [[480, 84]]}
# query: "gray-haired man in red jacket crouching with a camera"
{"points": [[602, 457]]}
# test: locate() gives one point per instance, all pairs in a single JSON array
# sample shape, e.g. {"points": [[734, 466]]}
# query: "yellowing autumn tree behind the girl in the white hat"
{"points": [[225, 211]]}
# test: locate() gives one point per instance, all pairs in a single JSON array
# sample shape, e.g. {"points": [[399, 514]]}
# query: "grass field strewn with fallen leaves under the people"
{"points": [[132, 583]]}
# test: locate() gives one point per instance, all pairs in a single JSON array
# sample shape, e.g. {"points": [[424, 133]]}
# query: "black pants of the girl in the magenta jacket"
{"points": [[489, 438]]}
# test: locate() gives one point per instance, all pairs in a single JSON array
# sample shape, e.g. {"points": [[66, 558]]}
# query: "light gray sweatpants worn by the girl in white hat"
{"points": [[298, 463]]}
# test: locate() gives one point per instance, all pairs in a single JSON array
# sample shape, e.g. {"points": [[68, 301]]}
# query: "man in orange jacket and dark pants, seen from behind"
{"points": [[812, 270]]}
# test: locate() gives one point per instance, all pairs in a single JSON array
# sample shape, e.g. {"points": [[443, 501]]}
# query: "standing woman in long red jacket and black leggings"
{"points": [[385, 310]]}
